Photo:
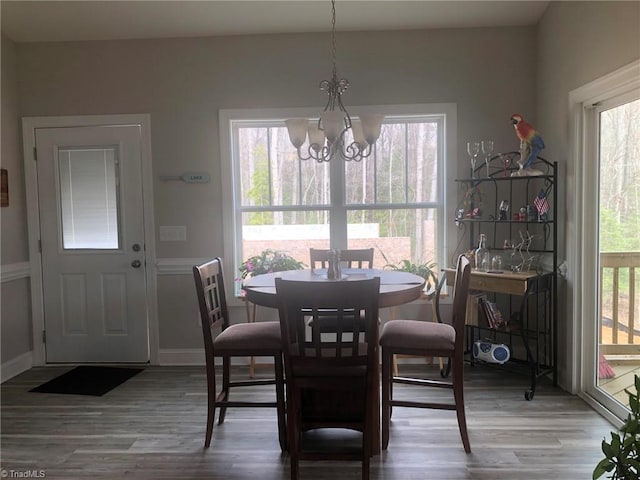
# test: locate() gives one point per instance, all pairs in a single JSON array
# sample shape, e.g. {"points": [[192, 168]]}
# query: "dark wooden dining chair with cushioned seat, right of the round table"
{"points": [[429, 339]]}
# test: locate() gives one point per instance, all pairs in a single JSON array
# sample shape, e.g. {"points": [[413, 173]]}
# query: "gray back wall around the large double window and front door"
{"points": [[184, 83]]}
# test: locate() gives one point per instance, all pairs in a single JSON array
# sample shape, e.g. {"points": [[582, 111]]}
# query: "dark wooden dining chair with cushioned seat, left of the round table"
{"points": [[239, 340]]}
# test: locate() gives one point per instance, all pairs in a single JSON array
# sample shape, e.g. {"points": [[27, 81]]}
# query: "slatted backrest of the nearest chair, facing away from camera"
{"points": [[299, 300]]}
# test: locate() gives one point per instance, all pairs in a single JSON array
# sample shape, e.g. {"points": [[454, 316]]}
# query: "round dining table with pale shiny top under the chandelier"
{"points": [[396, 288]]}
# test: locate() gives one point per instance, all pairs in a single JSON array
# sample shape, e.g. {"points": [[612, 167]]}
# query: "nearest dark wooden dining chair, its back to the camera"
{"points": [[330, 383]]}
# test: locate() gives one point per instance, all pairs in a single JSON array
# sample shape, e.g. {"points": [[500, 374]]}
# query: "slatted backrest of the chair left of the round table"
{"points": [[212, 301]]}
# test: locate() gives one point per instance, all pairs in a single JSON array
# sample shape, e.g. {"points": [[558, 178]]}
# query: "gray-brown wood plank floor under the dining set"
{"points": [[152, 428]]}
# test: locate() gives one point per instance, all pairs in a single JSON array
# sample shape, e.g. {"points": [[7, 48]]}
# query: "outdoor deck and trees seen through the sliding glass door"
{"points": [[618, 345]]}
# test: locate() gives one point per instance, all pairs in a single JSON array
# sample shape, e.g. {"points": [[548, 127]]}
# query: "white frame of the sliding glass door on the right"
{"points": [[583, 228]]}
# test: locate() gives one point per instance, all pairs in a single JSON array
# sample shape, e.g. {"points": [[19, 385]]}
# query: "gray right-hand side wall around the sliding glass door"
{"points": [[578, 42]]}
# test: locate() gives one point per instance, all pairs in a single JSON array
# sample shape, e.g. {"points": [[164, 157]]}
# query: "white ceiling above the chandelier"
{"points": [[36, 21]]}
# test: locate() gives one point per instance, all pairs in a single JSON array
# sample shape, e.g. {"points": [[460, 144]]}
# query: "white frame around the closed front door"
{"points": [[29, 124]]}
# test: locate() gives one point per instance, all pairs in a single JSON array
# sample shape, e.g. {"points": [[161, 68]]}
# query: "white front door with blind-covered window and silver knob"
{"points": [[89, 182]]}
